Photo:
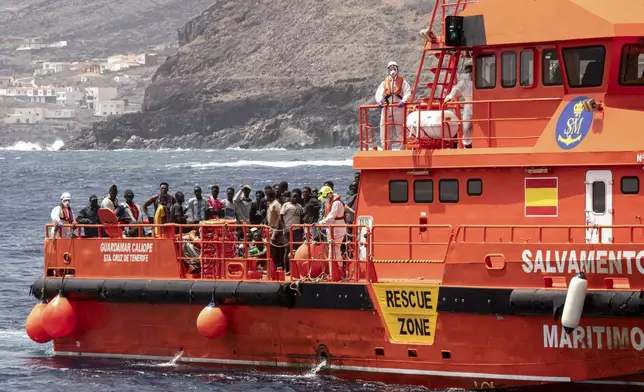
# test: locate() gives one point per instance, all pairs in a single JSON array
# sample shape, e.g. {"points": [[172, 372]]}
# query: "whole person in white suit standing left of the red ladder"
{"points": [[394, 90]]}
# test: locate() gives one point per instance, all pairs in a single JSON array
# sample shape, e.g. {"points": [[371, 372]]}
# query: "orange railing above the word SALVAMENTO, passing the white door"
{"points": [[551, 234]]}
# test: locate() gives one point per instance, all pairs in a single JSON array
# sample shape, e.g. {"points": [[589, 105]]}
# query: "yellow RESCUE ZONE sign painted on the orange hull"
{"points": [[409, 311]]}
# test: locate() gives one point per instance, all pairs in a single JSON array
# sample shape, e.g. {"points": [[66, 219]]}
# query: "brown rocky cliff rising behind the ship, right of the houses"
{"points": [[267, 73]]}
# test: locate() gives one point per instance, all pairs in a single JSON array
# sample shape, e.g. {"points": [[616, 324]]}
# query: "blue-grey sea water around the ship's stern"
{"points": [[33, 181]]}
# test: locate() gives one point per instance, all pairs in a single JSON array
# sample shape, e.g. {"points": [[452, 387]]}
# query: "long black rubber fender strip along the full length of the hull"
{"points": [[495, 301]]}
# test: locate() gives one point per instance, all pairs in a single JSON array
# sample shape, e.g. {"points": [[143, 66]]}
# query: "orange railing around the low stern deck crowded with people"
{"points": [[228, 251]]}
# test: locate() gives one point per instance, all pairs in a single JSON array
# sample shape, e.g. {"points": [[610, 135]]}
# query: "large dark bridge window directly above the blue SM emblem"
{"points": [[585, 66]]}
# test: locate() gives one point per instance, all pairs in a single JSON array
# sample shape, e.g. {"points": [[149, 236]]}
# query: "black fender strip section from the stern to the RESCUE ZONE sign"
{"points": [[305, 295]]}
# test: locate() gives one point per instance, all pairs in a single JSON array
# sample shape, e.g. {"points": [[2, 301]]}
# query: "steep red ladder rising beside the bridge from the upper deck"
{"points": [[443, 60]]}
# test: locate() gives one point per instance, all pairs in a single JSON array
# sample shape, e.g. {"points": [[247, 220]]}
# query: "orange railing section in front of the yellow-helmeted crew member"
{"points": [[330, 252]]}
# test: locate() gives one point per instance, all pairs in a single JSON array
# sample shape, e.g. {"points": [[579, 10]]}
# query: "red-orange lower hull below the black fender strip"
{"points": [[485, 351]]}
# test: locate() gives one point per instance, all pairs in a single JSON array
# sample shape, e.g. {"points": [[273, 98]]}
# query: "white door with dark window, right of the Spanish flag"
{"points": [[599, 206]]}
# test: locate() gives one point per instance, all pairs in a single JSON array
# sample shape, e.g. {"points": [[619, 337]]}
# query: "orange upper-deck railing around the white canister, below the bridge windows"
{"points": [[401, 131]]}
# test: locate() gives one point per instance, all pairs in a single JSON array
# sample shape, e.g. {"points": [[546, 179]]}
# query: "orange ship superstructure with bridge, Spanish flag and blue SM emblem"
{"points": [[558, 110]]}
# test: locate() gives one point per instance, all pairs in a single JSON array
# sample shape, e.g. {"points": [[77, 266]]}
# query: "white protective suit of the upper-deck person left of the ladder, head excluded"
{"points": [[393, 112]]}
